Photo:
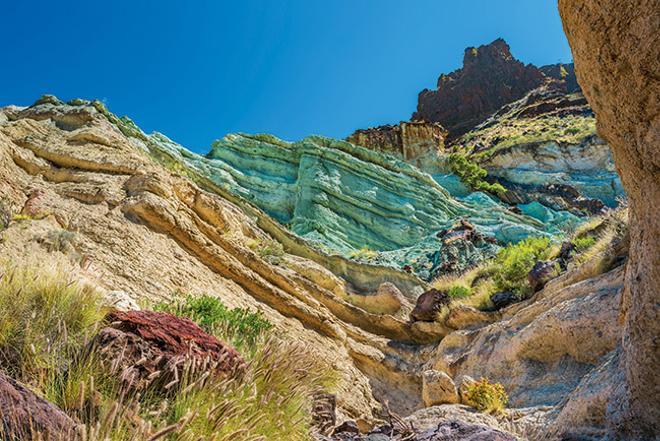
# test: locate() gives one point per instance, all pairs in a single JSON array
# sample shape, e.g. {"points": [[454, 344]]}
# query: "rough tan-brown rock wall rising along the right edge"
{"points": [[616, 46]]}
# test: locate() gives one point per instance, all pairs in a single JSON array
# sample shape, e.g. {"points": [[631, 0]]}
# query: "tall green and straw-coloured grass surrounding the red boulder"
{"points": [[47, 322]]}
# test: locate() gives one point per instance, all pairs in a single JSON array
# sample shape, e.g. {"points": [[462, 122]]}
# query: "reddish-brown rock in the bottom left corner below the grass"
{"points": [[24, 415]]}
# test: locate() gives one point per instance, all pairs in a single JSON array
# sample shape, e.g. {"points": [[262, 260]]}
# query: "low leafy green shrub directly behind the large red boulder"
{"points": [[244, 329]]}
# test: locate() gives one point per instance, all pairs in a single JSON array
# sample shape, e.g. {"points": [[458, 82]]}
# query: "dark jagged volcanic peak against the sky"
{"points": [[490, 77]]}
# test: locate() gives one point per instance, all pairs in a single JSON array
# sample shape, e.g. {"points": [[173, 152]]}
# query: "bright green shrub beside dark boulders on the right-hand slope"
{"points": [[513, 262]]}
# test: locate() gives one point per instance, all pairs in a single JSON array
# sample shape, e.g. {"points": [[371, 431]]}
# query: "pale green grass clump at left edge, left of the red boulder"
{"points": [[43, 314]]}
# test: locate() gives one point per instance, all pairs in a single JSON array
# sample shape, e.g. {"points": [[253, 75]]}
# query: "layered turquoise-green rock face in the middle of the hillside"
{"points": [[343, 198]]}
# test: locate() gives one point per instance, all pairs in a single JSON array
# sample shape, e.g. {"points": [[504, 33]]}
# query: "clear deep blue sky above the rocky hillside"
{"points": [[196, 70]]}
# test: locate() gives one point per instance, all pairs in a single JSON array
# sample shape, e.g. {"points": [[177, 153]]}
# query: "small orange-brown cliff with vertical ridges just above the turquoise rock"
{"points": [[417, 142]]}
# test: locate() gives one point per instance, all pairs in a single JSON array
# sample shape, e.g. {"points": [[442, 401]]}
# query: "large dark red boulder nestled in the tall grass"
{"points": [[147, 346]]}
